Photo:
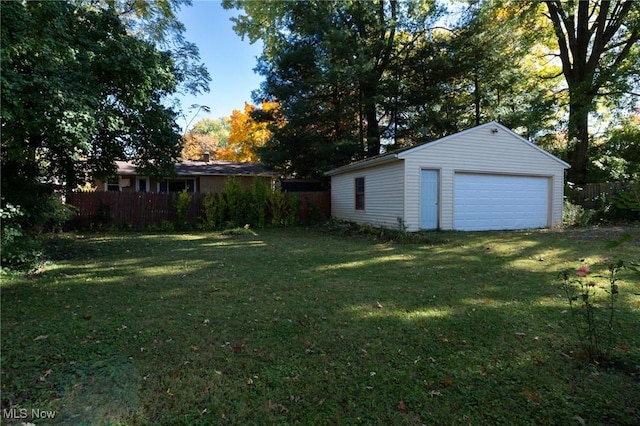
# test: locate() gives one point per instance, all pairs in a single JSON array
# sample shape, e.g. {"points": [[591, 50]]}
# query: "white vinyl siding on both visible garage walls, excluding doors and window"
{"points": [[393, 183]]}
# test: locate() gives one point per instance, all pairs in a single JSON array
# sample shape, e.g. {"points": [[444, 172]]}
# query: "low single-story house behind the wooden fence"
{"points": [[194, 176]]}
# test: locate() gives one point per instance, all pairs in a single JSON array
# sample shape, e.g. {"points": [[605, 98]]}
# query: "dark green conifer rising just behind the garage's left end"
{"points": [[317, 124]]}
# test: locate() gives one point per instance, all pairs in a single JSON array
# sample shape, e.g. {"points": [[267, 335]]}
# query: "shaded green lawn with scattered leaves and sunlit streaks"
{"points": [[303, 326]]}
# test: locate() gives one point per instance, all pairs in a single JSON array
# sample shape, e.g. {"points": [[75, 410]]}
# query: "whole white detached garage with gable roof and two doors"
{"points": [[484, 178]]}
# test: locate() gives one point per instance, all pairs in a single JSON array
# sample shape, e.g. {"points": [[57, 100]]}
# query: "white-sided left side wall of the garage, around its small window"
{"points": [[384, 193]]}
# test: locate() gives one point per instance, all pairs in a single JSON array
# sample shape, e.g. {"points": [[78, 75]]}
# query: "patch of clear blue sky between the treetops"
{"points": [[229, 59]]}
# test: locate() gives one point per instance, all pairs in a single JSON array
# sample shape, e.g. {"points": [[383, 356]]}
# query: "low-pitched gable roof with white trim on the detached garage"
{"points": [[402, 153]]}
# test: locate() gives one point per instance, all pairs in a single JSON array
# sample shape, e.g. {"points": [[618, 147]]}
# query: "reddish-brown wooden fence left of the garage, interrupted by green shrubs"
{"points": [[140, 210]]}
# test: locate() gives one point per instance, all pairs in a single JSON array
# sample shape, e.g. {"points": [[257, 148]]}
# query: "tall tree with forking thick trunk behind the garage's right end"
{"points": [[598, 47]]}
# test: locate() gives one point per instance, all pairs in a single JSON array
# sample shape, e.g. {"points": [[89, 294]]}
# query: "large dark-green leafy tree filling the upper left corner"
{"points": [[78, 92]]}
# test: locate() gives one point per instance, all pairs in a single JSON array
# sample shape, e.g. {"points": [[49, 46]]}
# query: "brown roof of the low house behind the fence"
{"points": [[206, 168]]}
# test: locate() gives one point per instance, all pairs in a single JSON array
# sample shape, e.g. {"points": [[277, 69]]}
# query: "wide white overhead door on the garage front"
{"points": [[491, 202]]}
